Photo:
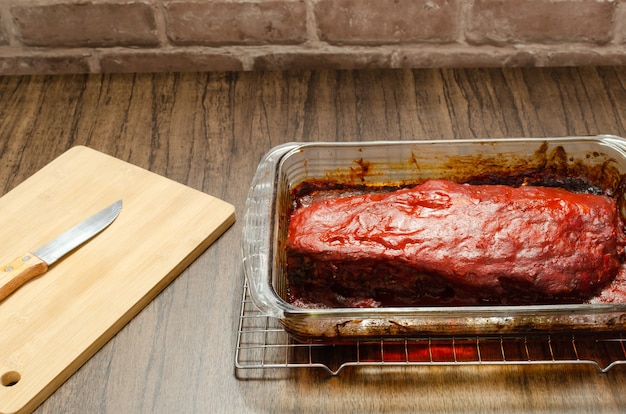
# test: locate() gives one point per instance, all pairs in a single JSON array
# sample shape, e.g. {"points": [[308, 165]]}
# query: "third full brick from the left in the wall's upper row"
{"points": [[376, 22]]}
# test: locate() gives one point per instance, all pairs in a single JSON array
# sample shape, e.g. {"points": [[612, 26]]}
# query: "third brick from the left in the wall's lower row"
{"points": [[314, 60]]}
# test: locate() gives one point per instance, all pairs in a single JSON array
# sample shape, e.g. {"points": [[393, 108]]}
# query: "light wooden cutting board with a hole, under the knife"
{"points": [[55, 323]]}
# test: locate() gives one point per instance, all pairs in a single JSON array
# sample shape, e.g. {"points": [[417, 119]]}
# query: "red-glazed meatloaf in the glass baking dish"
{"points": [[443, 243]]}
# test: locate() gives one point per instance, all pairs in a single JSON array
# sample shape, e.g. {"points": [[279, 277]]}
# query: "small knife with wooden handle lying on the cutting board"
{"points": [[32, 264]]}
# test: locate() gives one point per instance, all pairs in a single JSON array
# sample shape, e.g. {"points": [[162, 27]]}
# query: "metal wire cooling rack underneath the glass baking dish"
{"points": [[263, 344]]}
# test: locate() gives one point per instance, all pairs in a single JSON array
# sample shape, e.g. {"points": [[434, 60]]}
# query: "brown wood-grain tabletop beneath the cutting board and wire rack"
{"points": [[209, 131]]}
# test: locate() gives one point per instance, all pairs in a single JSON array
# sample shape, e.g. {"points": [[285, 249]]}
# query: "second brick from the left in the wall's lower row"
{"points": [[160, 61]]}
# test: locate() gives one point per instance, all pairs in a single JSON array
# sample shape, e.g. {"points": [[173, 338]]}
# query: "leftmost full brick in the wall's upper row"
{"points": [[87, 24]]}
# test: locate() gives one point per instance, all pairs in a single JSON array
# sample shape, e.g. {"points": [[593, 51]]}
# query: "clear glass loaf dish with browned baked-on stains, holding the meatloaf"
{"points": [[600, 159]]}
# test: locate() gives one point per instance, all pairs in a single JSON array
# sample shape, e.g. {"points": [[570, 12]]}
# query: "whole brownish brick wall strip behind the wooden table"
{"points": [[80, 36]]}
